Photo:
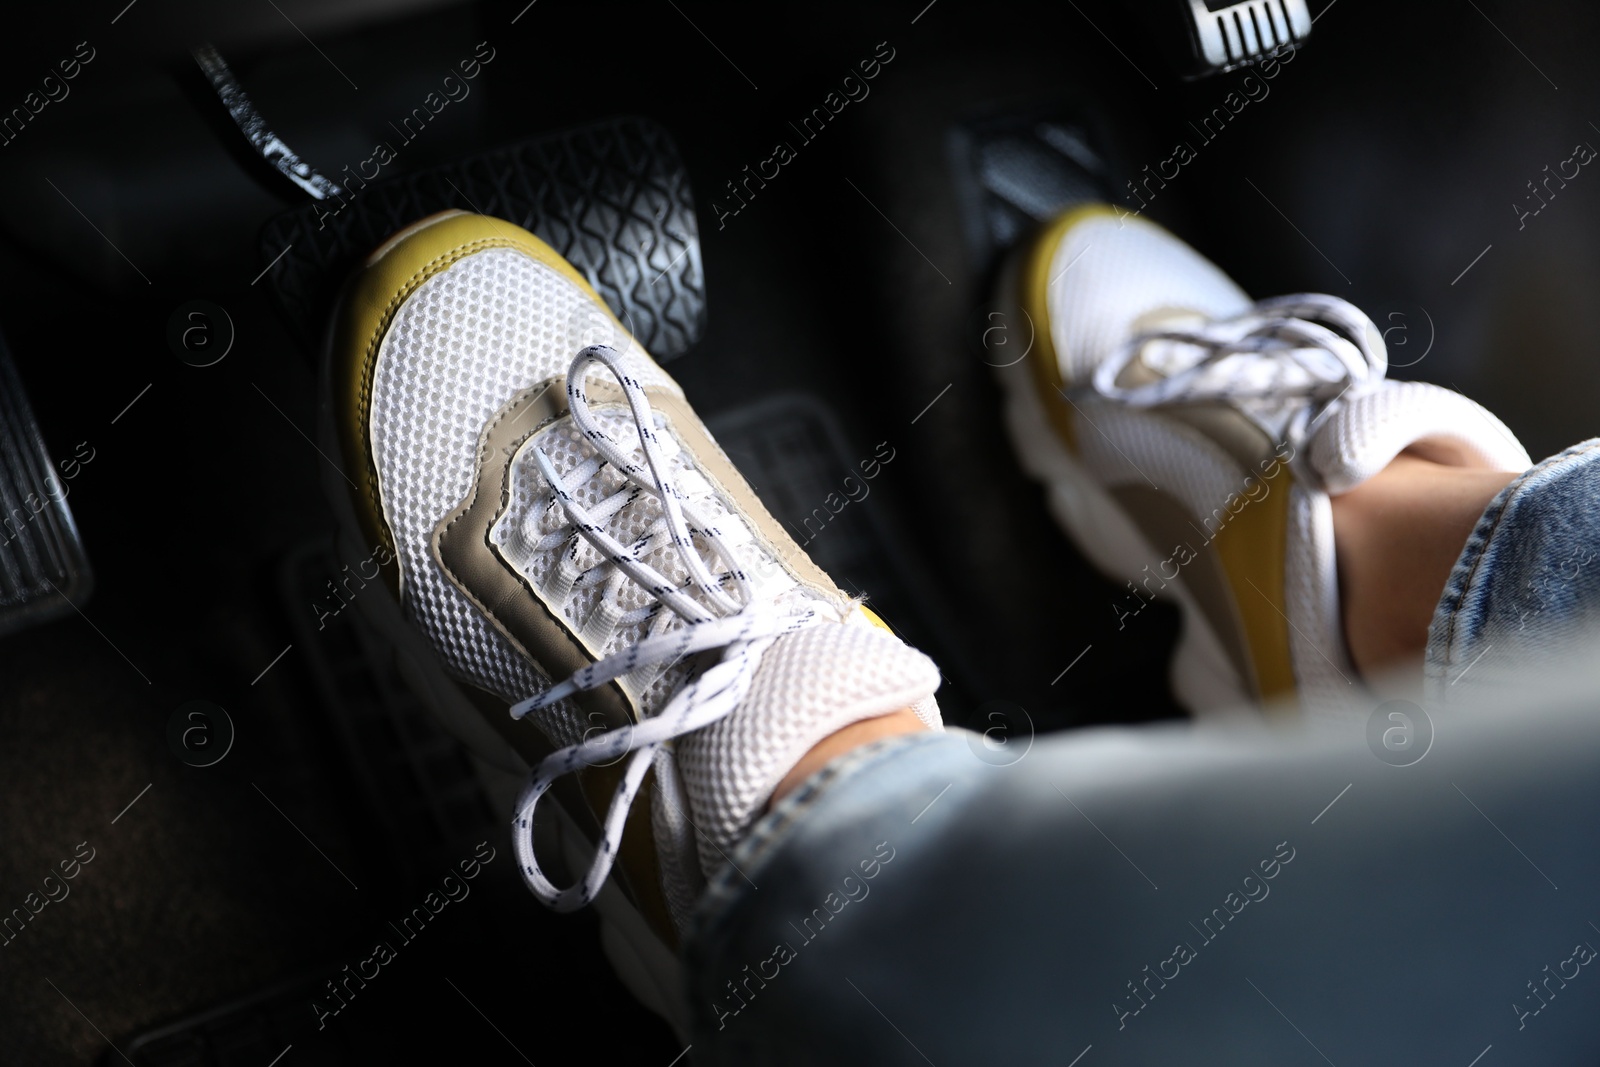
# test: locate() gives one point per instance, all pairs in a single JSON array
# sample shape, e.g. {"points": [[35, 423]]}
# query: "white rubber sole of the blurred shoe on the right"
{"points": [[1202, 674]]}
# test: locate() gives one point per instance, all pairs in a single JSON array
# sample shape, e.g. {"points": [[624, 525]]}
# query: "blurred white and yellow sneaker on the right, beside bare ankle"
{"points": [[1193, 442]]}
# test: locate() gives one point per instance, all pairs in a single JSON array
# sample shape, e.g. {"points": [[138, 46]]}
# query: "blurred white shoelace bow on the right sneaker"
{"points": [[1289, 356]]}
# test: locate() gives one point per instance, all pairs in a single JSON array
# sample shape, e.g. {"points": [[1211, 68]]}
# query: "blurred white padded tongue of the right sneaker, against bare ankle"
{"points": [[1372, 428]]}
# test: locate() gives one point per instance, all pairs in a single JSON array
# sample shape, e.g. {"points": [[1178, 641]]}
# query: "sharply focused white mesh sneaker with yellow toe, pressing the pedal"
{"points": [[578, 557]]}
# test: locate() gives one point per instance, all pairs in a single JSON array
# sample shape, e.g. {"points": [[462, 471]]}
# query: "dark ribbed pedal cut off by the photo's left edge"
{"points": [[44, 569]]}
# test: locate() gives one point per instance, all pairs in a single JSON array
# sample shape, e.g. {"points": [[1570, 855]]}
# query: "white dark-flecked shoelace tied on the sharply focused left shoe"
{"points": [[737, 623]]}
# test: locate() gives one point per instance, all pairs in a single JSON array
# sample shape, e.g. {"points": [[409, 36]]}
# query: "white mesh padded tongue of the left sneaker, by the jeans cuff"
{"points": [[809, 685]]}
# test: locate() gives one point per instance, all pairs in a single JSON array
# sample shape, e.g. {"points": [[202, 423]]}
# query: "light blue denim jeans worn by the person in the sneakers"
{"points": [[1191, 895]]}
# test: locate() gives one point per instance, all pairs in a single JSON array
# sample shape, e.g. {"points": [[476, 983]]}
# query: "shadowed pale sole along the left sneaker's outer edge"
{"points": [[646, 965]]}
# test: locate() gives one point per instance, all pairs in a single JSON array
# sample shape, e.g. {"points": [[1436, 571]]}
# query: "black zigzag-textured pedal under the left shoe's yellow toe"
{"points": [[612, 198]]}
